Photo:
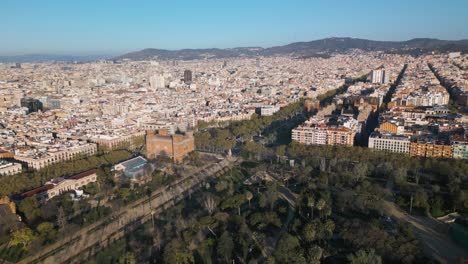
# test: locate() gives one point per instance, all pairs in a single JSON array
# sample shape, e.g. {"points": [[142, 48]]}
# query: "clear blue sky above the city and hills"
{"points": [[116, 26]]}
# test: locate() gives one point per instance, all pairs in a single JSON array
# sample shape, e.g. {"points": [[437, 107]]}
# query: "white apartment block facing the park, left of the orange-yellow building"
{"points": [[389, 142]]}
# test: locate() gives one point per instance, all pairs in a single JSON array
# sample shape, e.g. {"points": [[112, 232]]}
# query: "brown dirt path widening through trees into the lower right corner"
{"points": [[432, 234]]}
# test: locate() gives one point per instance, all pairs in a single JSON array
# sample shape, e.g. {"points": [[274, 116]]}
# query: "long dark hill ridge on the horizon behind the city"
{"points": [[322, 47]]}
